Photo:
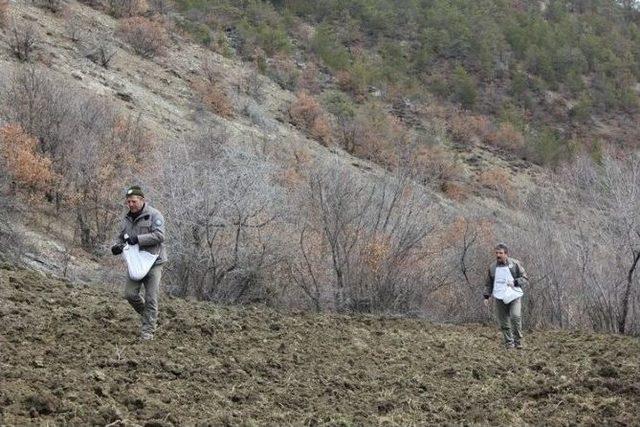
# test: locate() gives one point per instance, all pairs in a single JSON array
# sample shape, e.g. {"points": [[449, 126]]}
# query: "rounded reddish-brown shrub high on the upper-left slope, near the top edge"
{"points": [[147, 38]]}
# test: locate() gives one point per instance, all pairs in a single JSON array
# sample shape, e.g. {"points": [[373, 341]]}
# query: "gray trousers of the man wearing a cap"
{"points": [[146, 307]]}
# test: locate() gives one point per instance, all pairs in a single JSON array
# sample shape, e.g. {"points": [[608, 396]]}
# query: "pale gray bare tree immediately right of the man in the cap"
{"points": [[222, 204]]}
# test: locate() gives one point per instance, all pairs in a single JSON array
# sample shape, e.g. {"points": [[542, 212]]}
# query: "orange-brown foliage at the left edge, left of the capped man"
{"points": [[28, 169]]}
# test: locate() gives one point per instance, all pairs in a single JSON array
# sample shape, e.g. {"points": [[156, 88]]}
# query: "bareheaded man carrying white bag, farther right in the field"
{"points": [[506, 272]]}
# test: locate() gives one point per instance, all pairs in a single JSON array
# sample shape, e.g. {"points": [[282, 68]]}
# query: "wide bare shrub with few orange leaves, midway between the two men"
{"points": [[373, 237]]}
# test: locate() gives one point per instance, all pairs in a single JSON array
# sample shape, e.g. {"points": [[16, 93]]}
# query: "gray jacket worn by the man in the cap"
{"points": [[149, 227]]}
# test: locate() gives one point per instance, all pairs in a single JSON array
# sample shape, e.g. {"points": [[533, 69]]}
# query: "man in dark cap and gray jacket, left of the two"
{"points": [[144, 226]]}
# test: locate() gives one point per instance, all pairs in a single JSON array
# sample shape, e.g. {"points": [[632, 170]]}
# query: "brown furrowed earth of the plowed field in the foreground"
{"points": [[69, 354]]}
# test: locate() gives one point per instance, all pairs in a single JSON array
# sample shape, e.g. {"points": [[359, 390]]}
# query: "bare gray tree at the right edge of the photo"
{"points": [[609, 243]]}
